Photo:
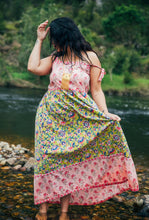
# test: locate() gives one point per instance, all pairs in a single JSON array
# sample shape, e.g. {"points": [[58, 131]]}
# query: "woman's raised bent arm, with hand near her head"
{"points": [[35, 64]]}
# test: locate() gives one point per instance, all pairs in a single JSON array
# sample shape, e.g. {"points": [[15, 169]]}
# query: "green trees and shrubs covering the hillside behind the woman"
{"points": [[118, 30]]}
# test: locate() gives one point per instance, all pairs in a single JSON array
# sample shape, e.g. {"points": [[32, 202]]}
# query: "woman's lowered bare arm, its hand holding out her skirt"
{"points": [[96, 90]]}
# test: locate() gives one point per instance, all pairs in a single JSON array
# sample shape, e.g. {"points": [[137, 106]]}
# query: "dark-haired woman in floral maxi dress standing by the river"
{"points": [[82, 156]]}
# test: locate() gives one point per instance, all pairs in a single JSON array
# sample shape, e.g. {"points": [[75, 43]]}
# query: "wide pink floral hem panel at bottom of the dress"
{"points": [[89, 182]]}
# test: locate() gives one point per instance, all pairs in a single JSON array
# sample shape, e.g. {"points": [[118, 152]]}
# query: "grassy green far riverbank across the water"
{"points": [[139, 86]]}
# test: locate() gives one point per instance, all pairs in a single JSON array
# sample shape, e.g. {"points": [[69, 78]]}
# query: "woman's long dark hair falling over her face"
{"points": [[65, 34]]}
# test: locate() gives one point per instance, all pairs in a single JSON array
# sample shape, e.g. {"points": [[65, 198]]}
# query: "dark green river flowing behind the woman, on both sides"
{"points": [[18, 109]]}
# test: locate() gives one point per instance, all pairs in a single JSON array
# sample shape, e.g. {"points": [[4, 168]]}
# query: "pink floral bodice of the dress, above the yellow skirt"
{"points": [[79, 75]]}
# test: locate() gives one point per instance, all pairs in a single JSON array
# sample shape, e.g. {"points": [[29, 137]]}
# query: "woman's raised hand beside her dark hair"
{"points": [[42, 31]]}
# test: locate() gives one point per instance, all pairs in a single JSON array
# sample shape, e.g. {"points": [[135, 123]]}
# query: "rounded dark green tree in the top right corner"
{"points": [[124, 25]]}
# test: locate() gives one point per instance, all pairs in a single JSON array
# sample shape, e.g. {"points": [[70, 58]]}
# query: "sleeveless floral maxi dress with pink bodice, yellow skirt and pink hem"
{"points": [[78, 149]]}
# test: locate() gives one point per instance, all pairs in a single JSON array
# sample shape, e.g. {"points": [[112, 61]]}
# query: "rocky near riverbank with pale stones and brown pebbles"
{"points": [[17, 193]]}
